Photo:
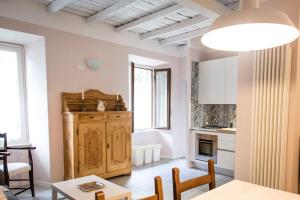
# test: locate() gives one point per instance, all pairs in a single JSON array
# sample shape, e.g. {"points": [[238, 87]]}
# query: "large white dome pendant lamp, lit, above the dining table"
{"points": [[250, 28]]}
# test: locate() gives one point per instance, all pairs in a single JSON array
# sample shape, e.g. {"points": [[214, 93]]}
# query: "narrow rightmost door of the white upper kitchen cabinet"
{"points": [[231, 80]]}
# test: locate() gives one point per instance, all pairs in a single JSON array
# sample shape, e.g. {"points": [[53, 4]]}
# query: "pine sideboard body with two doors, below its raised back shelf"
{"points": [[96, 143]]}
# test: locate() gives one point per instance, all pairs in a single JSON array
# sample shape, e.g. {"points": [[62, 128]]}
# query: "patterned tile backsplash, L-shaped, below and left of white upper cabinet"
{"points": [[223, 115]]}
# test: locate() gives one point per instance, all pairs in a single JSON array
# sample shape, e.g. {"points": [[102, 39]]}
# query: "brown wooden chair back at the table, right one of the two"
{"points": [[179, 187]]}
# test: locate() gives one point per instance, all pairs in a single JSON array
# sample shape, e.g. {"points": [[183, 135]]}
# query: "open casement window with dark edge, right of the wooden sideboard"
{"points": [[151, 97]]}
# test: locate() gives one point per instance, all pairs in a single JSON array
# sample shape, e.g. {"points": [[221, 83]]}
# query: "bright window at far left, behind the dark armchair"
{"points": [[13, 99]]}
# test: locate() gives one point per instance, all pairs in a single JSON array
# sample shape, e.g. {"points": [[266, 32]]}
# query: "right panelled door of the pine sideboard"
{"points": [[119, 146]]}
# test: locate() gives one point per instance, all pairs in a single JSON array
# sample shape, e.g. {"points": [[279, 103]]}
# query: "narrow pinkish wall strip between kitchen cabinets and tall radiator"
{"points": [[244, 111]]}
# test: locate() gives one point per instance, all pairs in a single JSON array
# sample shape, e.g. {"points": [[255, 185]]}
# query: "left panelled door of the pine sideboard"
{"points": [[92, 148]]}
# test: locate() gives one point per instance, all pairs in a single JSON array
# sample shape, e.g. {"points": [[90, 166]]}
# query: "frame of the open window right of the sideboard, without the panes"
{"points": [[153, 93]]}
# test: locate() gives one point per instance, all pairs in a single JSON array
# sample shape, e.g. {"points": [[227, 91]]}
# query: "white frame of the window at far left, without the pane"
{"points": [[20, 50]]}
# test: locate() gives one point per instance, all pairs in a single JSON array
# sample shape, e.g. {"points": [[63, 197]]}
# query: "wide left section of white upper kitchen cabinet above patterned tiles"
{"points": [[212, 82]]}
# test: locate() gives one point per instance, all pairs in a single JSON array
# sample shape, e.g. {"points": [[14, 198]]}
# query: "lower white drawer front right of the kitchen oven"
{"points": [[225, 159]]}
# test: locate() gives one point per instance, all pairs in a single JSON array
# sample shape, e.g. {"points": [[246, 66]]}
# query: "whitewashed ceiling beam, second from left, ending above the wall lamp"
{"points": [[112, 10]]}
